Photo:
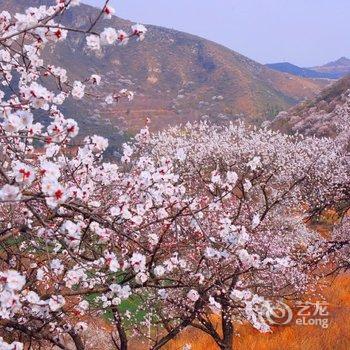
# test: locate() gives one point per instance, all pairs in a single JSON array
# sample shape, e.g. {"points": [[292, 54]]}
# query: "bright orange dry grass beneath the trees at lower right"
{"points": [[336, 337]]}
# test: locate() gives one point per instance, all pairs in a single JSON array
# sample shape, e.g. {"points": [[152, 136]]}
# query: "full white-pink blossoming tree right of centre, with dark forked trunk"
{"points": [[241, 242]]}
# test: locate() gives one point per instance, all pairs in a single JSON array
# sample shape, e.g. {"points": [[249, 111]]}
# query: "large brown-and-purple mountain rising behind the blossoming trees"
{"points": [[177, 77]]}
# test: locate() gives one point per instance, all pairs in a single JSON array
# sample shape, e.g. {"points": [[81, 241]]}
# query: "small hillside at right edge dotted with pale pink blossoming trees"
{"points": [[318, 116]]}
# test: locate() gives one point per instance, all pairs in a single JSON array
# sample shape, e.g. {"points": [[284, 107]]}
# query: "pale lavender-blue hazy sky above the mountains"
{"points": [[303, 32]]}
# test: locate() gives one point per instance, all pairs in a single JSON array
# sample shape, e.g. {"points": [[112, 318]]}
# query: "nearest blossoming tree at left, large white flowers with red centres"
{"points": [[41, 173]]}
